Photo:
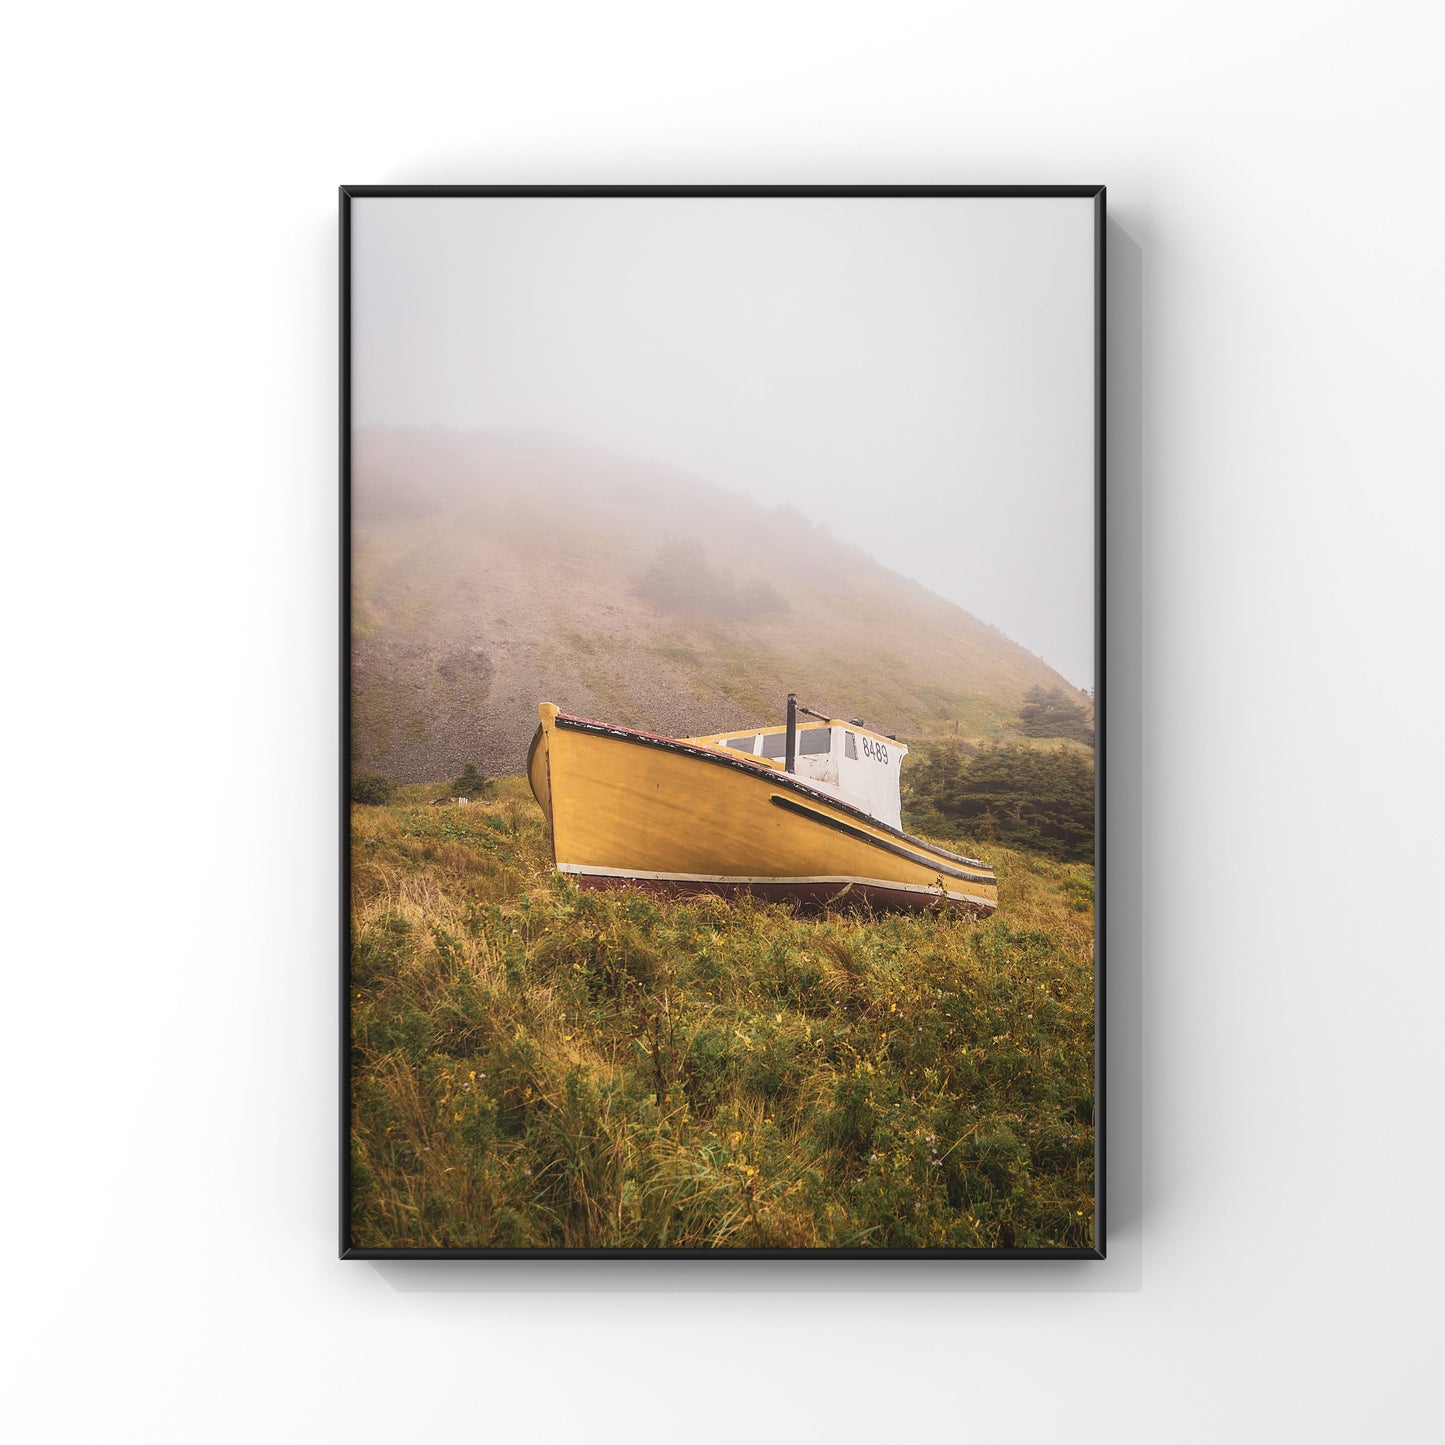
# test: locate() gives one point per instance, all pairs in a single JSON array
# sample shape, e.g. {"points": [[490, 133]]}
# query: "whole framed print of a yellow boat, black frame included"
{"points": [[723, 723]]}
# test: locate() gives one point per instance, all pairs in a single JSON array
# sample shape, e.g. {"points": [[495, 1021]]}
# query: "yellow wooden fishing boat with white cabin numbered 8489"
{"points": [[797, 814]]}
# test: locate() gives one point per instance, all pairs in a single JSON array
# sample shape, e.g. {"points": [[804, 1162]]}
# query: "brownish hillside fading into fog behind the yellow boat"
{"points": [[492, 573]]}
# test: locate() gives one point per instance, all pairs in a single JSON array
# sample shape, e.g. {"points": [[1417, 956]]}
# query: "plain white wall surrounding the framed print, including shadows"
{"points": [[170, 387]]}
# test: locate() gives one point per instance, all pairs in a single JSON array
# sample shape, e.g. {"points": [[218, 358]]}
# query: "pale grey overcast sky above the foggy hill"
{"points": [[917, 375]]}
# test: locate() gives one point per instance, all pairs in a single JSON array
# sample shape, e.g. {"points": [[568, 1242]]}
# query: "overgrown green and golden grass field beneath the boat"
{"points": [[538, 1067]]}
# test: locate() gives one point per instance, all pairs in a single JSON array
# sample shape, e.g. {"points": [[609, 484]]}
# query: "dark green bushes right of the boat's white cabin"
{"points": [[1017, 794]]}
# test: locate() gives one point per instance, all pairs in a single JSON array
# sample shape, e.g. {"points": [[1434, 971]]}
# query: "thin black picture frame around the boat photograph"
{"points": [[349, 194]]}
